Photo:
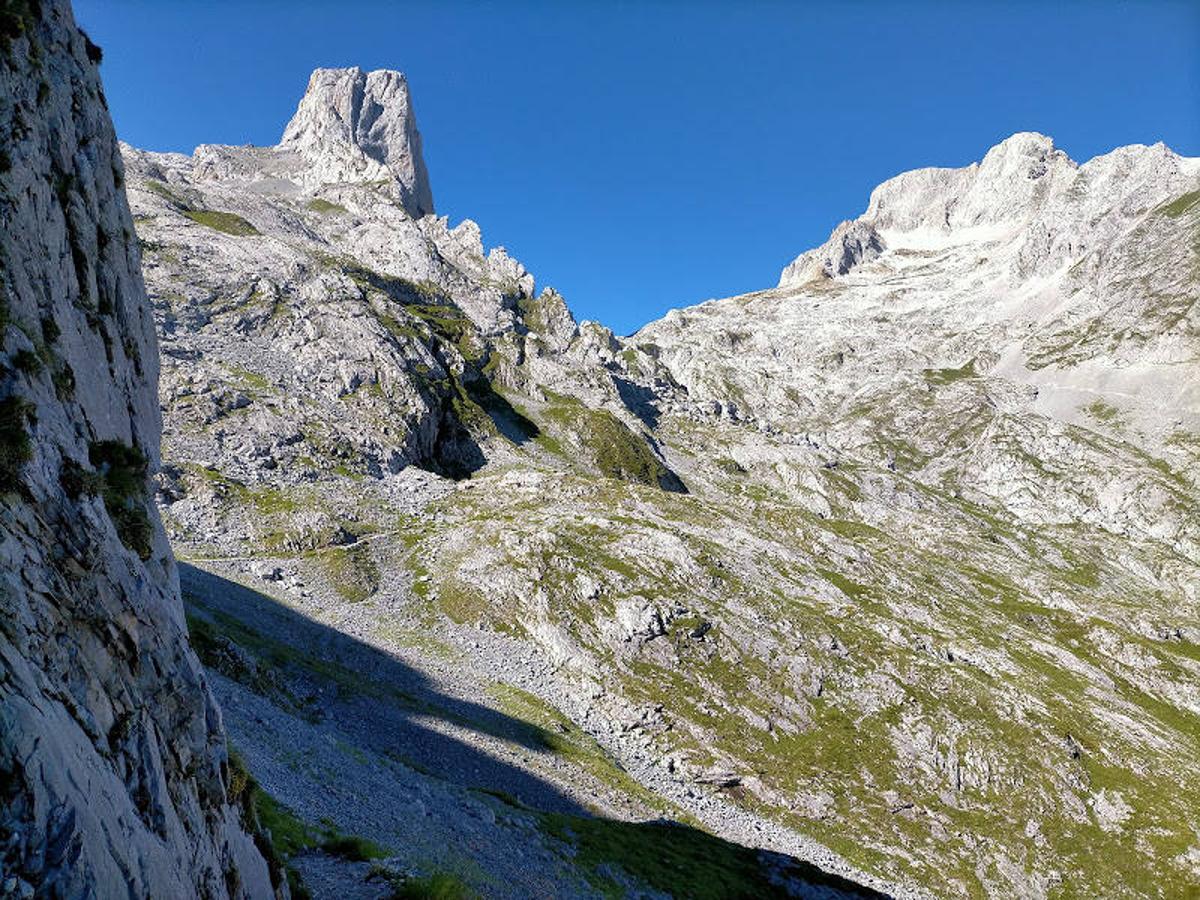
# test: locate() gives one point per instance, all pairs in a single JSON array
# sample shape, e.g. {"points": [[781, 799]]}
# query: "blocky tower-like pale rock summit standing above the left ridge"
{"points": [[359, 127]]}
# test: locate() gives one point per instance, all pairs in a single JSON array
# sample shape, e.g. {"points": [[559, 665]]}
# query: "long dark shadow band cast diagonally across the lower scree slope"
{"points": [[321, 675]]}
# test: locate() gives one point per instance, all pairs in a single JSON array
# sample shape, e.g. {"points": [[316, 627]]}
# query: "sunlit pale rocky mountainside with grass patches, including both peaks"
{"points": [[893, 567]]}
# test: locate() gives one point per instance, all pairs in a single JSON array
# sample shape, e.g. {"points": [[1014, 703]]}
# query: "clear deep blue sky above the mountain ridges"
{"points": [[643, 157]]}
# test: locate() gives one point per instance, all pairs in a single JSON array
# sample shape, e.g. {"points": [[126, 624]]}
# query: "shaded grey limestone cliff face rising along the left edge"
{"points": [[113, 769]]}
